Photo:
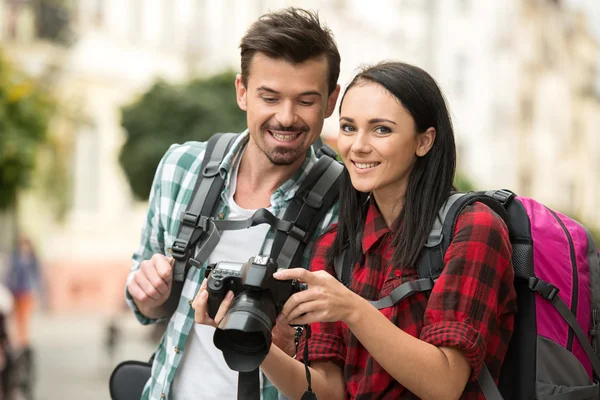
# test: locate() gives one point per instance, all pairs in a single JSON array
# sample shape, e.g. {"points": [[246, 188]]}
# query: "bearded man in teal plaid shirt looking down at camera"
{"points": [[287, 86]]}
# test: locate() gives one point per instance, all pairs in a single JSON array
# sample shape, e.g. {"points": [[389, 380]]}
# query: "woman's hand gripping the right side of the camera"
{"points": [[325, 300]]}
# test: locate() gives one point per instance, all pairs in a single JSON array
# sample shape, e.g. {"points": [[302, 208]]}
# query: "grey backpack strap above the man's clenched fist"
{"points": [[203, 202]]}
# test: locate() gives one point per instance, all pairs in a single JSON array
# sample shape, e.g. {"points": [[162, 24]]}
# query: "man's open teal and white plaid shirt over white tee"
{"points": [[171, 191]]}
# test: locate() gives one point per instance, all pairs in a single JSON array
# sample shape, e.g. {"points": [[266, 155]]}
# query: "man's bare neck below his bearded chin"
{"points": [[258, 178]]}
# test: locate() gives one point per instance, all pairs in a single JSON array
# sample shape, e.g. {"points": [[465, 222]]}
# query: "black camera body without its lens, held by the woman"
{"points": [[254, 275]]}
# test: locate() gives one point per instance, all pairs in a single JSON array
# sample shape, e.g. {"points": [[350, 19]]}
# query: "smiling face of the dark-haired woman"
{"points": [[378, 140]]}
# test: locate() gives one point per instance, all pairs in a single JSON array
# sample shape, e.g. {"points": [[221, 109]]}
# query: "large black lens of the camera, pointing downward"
{"points": [[244, 334]]}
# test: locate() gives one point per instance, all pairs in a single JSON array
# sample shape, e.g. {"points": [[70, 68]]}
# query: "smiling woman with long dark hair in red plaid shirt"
{"points": [[397, 143]]}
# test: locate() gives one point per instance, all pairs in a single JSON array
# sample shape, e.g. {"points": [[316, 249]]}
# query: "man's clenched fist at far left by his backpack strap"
{"points": [[151, 285]]}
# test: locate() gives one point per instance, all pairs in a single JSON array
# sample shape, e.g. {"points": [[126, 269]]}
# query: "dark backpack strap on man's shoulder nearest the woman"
{"points": [[313, 199]]}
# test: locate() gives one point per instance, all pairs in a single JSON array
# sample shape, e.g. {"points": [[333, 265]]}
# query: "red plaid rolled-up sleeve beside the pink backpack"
{"points": [[474, 296]]}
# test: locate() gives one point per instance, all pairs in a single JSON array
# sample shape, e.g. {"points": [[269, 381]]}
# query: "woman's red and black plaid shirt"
{"points": [[471, 306]]}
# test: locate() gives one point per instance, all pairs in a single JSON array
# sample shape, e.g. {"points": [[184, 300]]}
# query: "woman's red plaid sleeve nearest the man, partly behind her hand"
{"points": [[326, 342]]}
